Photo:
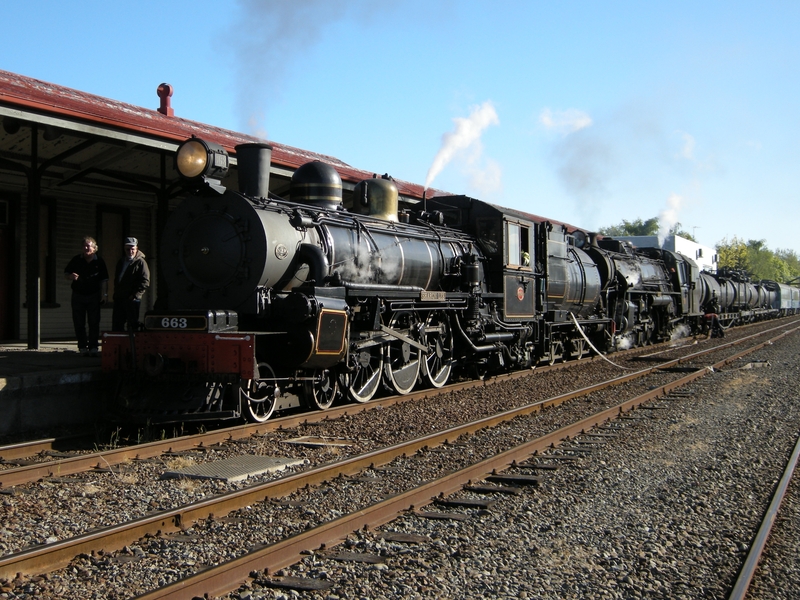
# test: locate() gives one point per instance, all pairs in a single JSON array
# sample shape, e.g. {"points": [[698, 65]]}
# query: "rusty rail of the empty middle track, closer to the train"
{"points": [[52, 556]]}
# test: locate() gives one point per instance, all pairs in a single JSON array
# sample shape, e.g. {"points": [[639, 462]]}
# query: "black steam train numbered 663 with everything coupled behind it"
{"points": [[269, 304]]}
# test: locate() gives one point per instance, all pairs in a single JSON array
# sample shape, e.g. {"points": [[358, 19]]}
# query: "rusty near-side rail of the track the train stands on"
{"points": [[107, 458]]}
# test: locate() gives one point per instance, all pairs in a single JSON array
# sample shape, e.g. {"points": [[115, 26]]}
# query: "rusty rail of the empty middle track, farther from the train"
{"points": [[223, 578]]}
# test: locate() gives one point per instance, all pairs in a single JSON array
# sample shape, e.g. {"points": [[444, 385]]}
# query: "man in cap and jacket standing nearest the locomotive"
{"points": [[131, 280]]}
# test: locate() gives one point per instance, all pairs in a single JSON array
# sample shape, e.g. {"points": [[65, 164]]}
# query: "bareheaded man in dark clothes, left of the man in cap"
{"points": [[89, 277]]}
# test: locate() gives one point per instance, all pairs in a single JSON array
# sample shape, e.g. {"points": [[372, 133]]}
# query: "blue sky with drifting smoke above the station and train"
{"points": [[583, 112]]}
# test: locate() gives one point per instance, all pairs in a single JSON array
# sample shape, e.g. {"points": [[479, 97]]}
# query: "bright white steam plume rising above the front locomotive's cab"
{"points": [[465, 141]]}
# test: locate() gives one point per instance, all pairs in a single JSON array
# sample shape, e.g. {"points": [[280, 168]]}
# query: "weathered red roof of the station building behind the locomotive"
{"points": [[47, 98]]}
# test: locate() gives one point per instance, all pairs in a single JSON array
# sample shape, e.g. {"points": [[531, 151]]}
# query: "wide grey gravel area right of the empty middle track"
{"points": [[667, 509]]}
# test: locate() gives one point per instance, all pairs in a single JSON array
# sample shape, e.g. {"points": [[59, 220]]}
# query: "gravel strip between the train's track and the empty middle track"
{"points": [[60, 507]]}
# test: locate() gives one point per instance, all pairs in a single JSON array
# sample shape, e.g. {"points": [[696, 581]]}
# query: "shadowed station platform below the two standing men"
{"points": [[49, 387]]}
